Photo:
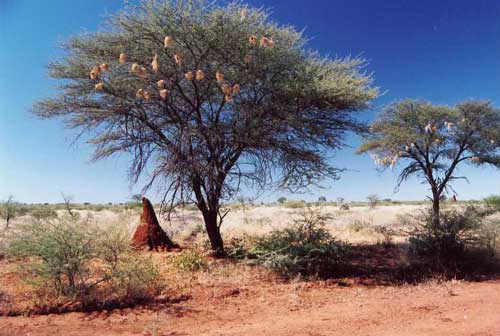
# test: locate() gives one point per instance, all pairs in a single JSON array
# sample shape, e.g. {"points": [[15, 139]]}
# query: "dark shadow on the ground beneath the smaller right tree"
{"points": [[376, 265]]}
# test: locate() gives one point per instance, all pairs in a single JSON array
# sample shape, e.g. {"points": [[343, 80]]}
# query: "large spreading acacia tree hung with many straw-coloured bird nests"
{"points": [[206, 97]]}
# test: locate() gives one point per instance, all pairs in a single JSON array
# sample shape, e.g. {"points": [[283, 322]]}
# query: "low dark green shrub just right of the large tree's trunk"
{"points": [[304, 247]]}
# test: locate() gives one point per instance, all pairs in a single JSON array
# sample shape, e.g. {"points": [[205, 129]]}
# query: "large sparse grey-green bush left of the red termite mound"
{"points": [[66, 259]]}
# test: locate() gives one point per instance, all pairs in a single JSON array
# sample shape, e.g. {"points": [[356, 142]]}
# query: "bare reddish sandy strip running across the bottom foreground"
{"points": [[294, 309]]}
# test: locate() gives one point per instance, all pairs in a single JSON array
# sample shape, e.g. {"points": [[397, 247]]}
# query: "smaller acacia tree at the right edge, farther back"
{"points": [[431, 142]]}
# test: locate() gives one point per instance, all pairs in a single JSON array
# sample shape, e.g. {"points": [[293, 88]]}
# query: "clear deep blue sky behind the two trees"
{"points": [[444, 51]]}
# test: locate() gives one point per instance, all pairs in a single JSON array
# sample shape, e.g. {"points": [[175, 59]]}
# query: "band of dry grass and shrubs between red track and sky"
{"points": [[84, 261]]}
